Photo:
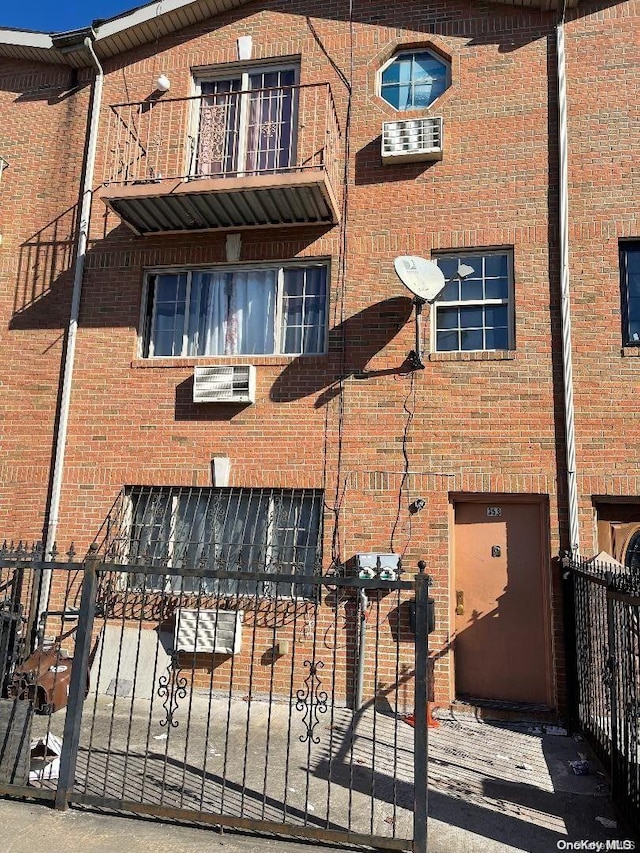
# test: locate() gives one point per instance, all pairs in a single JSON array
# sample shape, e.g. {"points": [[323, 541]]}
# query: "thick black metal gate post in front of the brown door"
{"points": [[420, 713]]}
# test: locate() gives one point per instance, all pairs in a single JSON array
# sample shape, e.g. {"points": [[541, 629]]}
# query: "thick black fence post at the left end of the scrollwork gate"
{"points": [[78, 686]]}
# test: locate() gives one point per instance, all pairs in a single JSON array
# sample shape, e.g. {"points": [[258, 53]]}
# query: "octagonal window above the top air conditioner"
{"points": [[413, 80]]}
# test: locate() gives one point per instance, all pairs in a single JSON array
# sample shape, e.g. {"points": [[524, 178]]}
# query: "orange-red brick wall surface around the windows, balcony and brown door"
{"points": [[478, 424]]}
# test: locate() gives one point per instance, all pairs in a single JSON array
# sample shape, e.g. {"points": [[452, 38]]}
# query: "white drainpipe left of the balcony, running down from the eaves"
{"points": [[65, 401]]}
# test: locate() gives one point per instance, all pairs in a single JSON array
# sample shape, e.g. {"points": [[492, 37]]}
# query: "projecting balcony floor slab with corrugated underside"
{"points": [[212, 204]]}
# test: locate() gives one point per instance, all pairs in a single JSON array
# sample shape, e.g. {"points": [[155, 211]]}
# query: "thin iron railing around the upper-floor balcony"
{"points": [[227, 135]]}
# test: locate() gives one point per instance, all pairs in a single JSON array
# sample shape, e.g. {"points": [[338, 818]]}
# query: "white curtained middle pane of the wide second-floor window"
{"points": [[232, 313]]}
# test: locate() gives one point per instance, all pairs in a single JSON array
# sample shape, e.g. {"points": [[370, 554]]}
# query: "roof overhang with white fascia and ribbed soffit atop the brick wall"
{"points": [[143, 25]]}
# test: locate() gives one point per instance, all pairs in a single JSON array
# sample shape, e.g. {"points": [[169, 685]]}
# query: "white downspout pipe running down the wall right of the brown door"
{"points": [[565, 305]]}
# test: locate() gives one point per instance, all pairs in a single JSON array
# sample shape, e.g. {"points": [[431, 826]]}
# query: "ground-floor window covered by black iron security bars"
{"points": [[225, 530]]}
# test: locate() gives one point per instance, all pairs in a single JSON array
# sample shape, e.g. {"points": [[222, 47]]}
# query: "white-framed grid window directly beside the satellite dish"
{"points": [[474, 311]]}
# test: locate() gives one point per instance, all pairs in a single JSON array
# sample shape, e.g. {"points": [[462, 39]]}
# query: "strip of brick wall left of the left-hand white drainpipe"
{"points": [[43, 113]]}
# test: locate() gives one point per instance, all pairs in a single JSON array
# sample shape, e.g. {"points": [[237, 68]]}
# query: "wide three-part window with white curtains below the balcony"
{"points": [[236, 311]]}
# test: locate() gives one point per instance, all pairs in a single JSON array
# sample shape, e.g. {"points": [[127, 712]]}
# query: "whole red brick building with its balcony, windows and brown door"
{"points": [[246, 216]]}
